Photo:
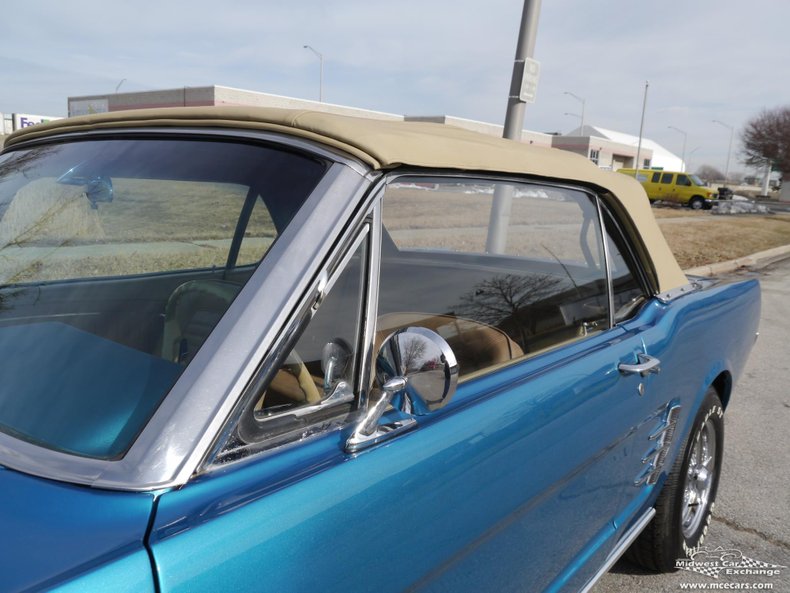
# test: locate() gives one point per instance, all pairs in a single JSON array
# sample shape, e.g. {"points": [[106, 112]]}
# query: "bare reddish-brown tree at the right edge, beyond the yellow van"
{"points": [[767, 137]]}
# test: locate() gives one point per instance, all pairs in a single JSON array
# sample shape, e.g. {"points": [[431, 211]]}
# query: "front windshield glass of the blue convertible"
{"points": [[117, 259]]}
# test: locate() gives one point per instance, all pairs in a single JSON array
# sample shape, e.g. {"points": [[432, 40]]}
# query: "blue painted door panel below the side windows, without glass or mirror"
{"points": [[506, 486]]}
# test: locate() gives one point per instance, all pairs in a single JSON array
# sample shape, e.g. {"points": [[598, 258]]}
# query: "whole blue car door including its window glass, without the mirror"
{"points": [[514, 485]]}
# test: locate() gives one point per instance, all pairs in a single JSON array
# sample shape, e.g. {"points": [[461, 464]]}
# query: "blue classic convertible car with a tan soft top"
{"points": [[270, 350]]}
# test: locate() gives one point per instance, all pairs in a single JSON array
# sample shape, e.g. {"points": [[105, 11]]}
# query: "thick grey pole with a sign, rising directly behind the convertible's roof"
{"points": [[514, 124]]}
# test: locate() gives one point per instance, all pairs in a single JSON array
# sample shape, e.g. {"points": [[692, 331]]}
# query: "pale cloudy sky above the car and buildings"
{"points": [[704, 59]]}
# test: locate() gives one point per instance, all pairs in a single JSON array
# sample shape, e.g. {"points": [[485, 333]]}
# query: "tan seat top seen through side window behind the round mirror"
{"points": [[476, 345]]}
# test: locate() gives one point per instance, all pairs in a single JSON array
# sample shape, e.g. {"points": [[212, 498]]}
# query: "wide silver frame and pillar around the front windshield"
{"points": [[174, 442]]}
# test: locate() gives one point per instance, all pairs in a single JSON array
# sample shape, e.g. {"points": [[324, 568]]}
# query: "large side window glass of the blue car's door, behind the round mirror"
{"points": [[534, 279]]}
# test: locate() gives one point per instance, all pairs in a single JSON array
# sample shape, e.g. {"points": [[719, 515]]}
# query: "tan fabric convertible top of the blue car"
{"points": [[387, 144]]}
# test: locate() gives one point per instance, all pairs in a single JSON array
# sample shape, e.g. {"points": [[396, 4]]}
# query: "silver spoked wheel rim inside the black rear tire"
{"points": [[700, 476]]}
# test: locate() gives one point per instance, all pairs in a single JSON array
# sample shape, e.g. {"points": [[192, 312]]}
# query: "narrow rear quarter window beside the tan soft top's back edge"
{"points": [[628, 294]]}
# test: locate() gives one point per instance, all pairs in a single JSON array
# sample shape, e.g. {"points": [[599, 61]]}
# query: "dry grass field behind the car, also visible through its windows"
{"points": [[49, 231]]}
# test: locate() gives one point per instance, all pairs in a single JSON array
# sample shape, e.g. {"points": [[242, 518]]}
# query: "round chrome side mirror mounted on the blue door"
{"points": [[417, 373]]}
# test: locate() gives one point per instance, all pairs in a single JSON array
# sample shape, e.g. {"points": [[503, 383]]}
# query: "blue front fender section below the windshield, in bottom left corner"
{"points": [[56, 535]]}
